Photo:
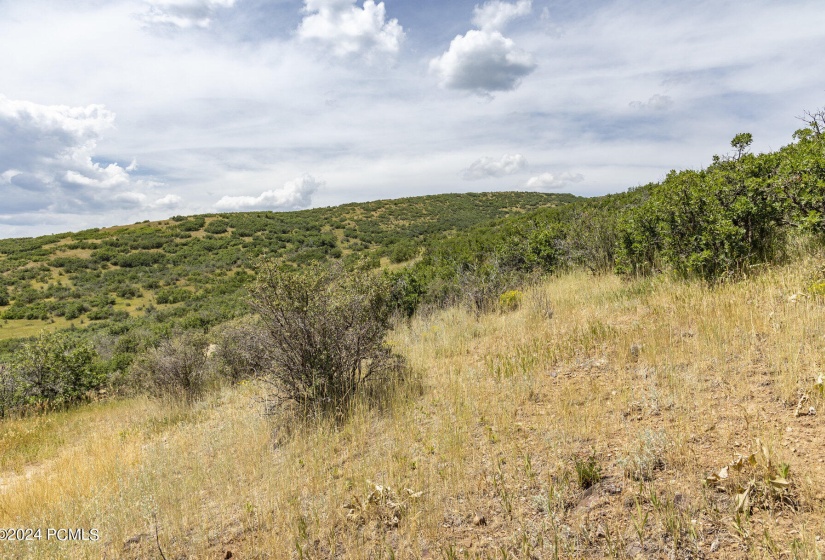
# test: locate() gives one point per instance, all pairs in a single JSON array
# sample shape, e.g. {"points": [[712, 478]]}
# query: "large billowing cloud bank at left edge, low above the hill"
{"points": [[47, 159]]}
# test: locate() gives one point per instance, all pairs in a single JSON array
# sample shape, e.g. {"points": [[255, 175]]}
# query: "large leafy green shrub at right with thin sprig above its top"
{"points": [[708, 223]]}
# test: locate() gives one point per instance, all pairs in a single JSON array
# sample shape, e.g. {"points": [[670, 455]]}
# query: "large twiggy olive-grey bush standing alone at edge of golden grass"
{"points": [[326, 328]]}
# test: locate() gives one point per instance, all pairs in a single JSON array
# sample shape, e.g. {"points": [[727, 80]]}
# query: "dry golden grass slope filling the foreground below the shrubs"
{"points": [[644, 388]]}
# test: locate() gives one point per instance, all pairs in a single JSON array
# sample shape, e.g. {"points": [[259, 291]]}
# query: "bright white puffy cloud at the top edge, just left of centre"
{"points": [[346, 29]]}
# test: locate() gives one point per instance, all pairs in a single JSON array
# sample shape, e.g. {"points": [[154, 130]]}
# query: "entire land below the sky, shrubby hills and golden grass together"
{"points": [[484, 376]]}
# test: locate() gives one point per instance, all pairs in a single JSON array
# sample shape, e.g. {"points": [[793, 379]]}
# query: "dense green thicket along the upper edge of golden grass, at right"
{"points": [[717, 223]]}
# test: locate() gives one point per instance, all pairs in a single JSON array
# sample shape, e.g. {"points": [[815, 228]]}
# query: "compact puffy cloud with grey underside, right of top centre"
{"points": [[482, 61]]}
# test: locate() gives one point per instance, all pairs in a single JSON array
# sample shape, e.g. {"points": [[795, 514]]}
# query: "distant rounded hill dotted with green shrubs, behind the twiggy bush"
{"points": [[189, 271]]}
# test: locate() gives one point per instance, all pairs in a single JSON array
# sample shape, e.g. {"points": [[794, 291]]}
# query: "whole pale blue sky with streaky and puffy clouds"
{"points": [[118, 111]]}
